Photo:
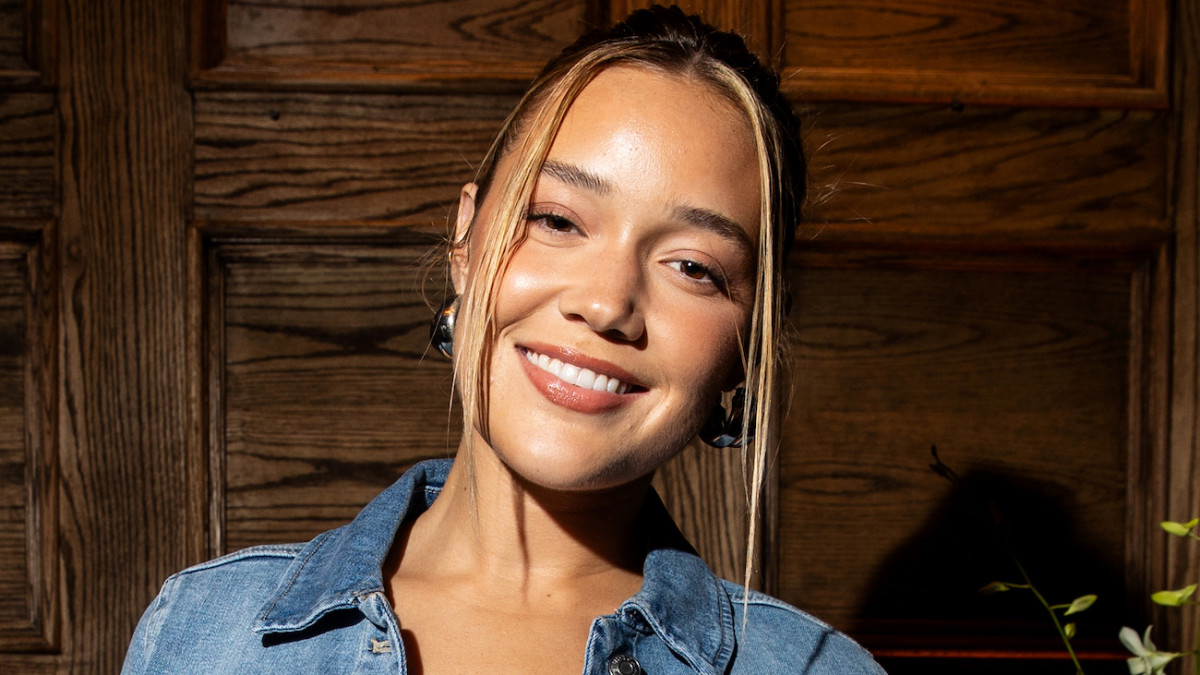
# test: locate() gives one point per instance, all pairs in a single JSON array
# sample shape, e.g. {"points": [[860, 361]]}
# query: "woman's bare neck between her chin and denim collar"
{"points": [[493, 530]]}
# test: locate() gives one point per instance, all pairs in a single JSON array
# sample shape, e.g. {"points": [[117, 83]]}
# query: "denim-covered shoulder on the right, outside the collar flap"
{"points": [[777, 637]]}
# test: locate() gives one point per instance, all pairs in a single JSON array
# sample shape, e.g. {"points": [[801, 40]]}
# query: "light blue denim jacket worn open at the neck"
{"points": [[321, 608]]}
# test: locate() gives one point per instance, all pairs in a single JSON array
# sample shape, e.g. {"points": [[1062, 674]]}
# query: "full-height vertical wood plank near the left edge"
{"points": [[125, 120]]}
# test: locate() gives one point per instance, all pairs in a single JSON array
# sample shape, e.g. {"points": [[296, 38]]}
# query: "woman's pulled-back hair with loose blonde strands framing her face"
{"points": [[667, 41]]}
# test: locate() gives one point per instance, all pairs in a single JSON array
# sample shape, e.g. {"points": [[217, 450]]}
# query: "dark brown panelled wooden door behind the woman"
{"points": [[219, 235]]}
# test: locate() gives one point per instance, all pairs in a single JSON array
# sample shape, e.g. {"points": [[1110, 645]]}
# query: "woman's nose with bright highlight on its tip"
{"points": [[609, 298]]}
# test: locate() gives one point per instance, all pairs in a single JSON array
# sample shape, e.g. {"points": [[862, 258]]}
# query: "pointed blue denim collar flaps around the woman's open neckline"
{"points": [[681, 600]]}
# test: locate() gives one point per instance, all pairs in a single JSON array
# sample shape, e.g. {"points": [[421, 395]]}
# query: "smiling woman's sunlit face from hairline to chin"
{"points": [[619, 318]]}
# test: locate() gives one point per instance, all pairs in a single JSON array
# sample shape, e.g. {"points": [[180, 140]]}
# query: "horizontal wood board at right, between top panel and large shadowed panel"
{"points": [[993, 176]]}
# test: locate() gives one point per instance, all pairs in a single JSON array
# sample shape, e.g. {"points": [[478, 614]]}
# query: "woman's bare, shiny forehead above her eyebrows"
{"points": [[662, 136]]}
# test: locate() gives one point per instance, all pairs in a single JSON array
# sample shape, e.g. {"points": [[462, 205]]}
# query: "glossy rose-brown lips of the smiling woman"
{"points": [[569, 396]]}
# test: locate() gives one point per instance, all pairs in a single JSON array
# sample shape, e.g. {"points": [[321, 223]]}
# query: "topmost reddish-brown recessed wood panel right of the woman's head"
{"points": [[1067, 53]]}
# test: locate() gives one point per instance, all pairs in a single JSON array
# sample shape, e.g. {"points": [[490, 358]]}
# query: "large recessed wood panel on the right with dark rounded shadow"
{"points": [[1022, 379]]}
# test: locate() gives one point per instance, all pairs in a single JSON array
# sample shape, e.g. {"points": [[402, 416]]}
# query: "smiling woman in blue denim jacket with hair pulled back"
{"points": [[617, 270]]}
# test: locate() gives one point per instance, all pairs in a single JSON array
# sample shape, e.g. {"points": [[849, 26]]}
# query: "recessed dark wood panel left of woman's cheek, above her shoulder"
{"points": [[328, 389]]}
